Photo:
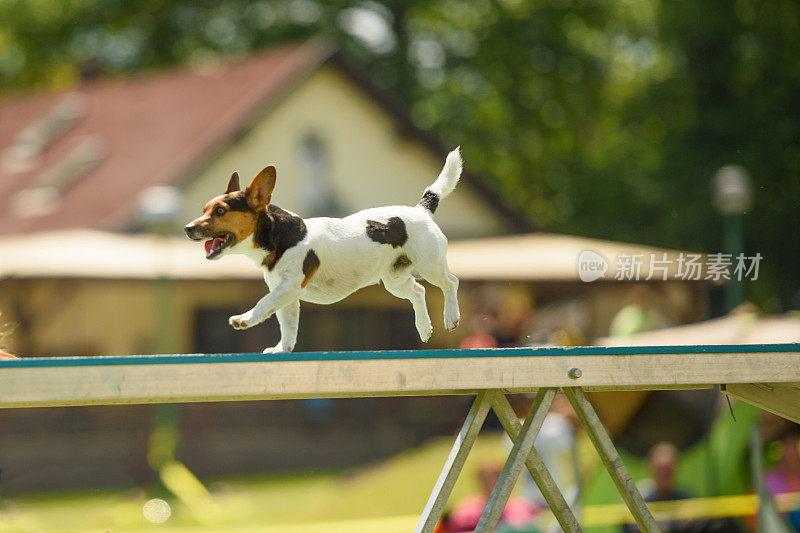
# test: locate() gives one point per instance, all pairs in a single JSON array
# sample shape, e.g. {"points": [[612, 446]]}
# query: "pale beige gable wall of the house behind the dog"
{"points": [[370, 163]]}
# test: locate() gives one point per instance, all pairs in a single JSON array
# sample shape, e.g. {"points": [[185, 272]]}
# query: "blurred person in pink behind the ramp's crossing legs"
{"points": [[519, 513]]}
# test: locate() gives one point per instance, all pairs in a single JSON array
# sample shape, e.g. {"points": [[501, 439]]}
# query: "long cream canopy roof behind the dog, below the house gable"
{"points": [[94, 254]]}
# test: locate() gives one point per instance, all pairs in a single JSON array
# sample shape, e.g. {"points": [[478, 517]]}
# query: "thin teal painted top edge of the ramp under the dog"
{"points": [[390, 354]]}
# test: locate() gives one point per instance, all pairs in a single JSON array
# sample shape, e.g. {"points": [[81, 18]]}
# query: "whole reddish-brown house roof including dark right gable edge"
{"points": [[81, 159]]}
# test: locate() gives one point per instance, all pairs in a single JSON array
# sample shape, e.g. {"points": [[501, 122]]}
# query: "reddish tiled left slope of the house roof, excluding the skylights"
{"points": [[154, 129]]}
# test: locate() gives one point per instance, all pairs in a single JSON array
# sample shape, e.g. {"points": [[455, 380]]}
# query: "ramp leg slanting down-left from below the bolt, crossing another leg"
{"points": [[516, 460]]}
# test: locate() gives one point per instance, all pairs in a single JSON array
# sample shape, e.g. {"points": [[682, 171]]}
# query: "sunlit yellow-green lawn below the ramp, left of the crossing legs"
{"points": [[384, 497]]}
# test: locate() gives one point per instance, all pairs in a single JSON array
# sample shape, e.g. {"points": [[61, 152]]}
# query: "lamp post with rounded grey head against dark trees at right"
{"points": [[733, 197]]}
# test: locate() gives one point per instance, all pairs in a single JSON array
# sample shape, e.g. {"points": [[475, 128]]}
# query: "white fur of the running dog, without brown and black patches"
{"points": [[350, 260]]}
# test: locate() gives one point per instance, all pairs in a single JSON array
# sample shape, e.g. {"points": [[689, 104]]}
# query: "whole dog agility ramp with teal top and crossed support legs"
{"points": [[766, 375]]}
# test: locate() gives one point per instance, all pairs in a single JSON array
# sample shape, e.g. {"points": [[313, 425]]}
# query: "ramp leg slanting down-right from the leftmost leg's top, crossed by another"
{"points": [[541, 476]]}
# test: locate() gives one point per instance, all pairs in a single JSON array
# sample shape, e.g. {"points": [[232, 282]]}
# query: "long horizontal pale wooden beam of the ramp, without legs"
{"points": [[138, 380]]}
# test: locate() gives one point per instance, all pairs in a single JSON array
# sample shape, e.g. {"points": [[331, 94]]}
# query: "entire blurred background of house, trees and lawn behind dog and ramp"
{"points": [[651, 134]]}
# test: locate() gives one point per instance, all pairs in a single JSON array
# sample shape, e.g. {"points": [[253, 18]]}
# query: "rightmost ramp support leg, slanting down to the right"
{"points": [[611, 459]]}
